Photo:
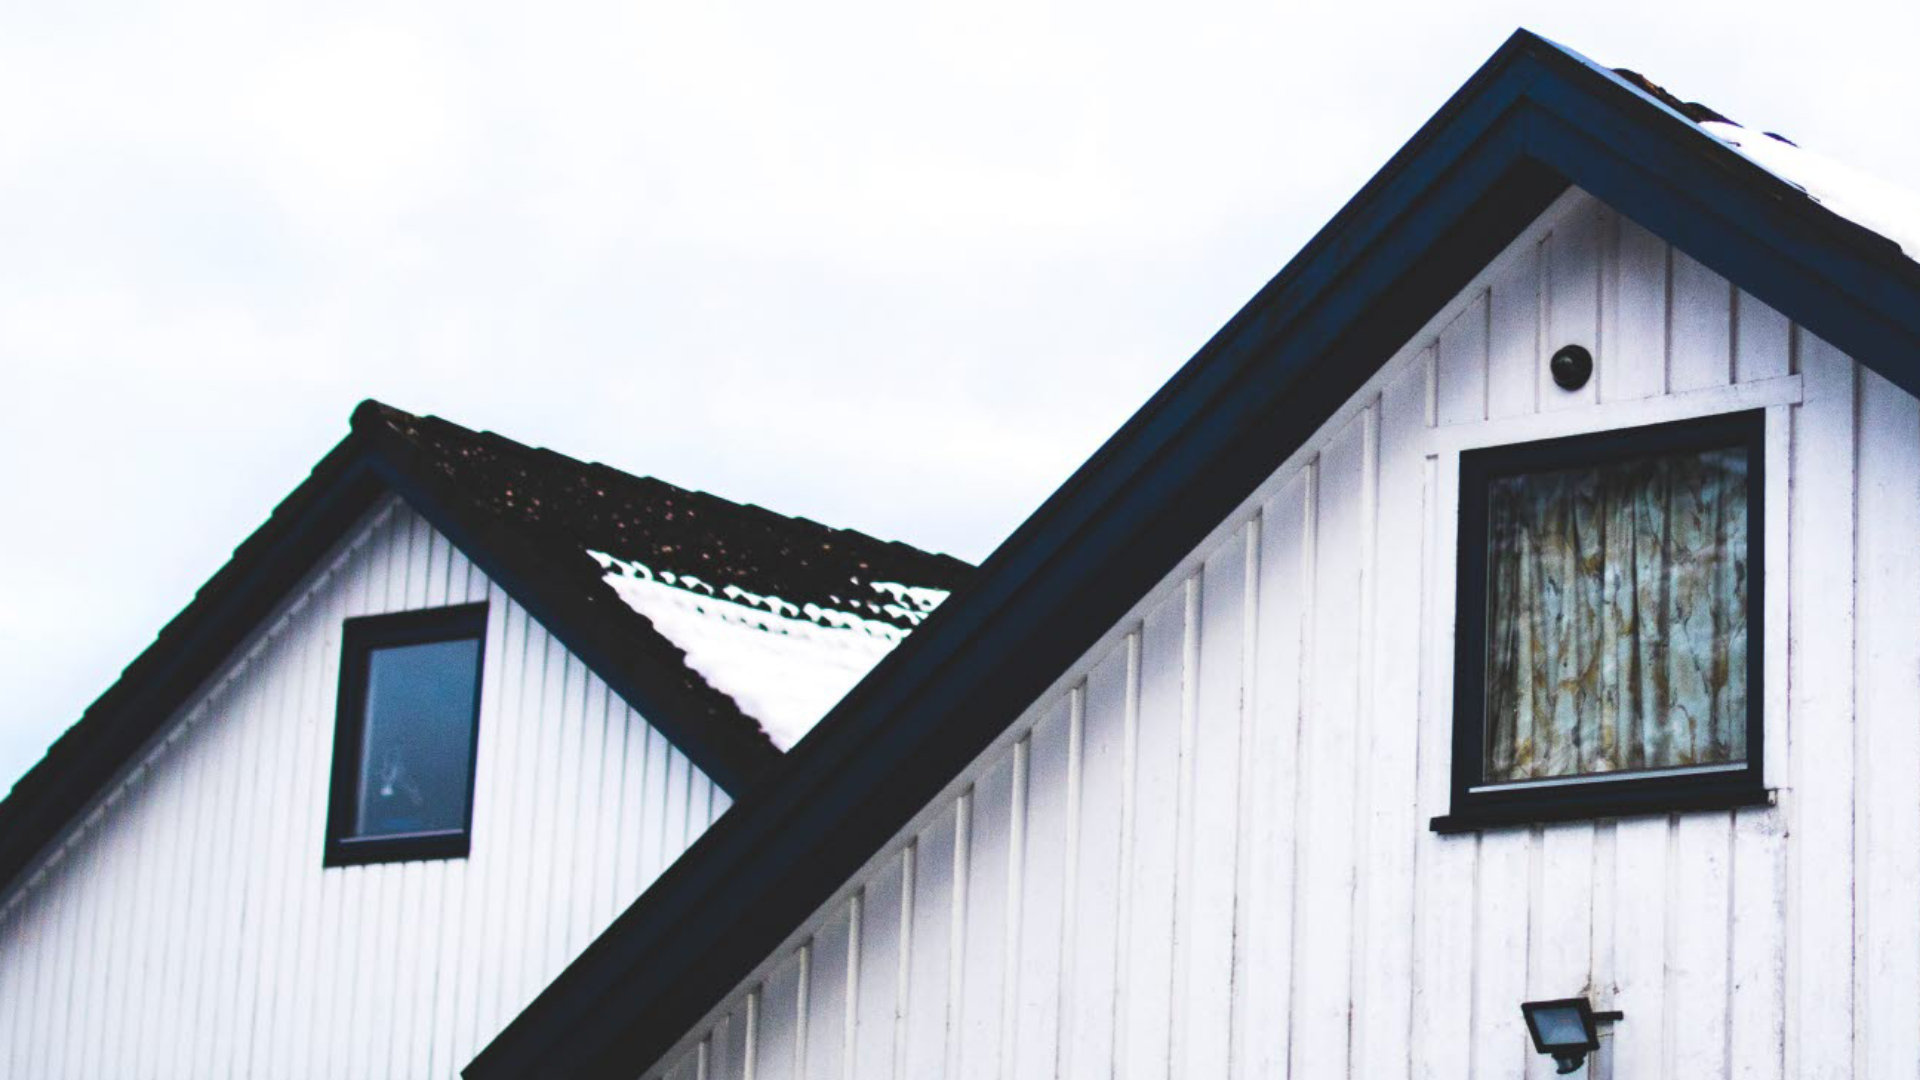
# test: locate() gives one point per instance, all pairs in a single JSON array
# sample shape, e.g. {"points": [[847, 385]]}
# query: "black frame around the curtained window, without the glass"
{"points": [[1598, 797]]}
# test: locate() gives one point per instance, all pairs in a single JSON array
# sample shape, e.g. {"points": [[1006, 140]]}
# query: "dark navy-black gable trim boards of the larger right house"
{"points": [[1531, 122]]}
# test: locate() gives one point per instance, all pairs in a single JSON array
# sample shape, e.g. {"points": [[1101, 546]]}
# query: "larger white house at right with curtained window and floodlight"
{"points": [[1514, 602]]}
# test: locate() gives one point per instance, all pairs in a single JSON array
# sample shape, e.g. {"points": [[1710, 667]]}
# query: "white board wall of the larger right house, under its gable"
{"points": [[1205, 852]]}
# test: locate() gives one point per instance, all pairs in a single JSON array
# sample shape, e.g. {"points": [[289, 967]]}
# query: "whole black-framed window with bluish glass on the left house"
{"points": [[404, 737]]}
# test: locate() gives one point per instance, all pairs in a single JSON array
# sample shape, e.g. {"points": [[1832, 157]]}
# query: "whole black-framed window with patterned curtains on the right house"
{"points": [[1608, 656]]}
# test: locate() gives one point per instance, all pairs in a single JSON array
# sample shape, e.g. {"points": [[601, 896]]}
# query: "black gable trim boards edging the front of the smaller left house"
{"points": [[272, 560]]}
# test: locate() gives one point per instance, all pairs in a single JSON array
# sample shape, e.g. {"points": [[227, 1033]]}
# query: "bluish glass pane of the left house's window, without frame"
{"points": [[418, 749]]}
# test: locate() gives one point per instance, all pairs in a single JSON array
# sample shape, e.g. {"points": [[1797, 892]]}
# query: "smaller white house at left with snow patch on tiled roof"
{"points": [[454, 706]]}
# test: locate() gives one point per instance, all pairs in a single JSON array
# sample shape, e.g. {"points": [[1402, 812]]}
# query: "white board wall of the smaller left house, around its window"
{"points": [[185, 929]]}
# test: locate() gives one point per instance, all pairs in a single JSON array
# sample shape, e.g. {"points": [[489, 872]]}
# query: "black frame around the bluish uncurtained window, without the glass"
{"points": [[360, 639]]}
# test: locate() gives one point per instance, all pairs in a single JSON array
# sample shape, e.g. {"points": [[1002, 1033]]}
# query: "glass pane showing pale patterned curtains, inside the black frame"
{"points": [[1618, 618]]}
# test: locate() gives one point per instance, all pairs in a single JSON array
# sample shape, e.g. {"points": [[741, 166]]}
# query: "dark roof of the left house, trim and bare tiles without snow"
{"points": [[533, 522]]}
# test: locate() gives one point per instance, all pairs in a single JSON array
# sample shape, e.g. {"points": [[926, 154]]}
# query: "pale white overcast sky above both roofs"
{"points": [[890, 266]]}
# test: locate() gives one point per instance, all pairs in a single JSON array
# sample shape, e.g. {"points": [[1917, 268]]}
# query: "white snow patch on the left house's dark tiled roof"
{"points": [[784, 664]]}
